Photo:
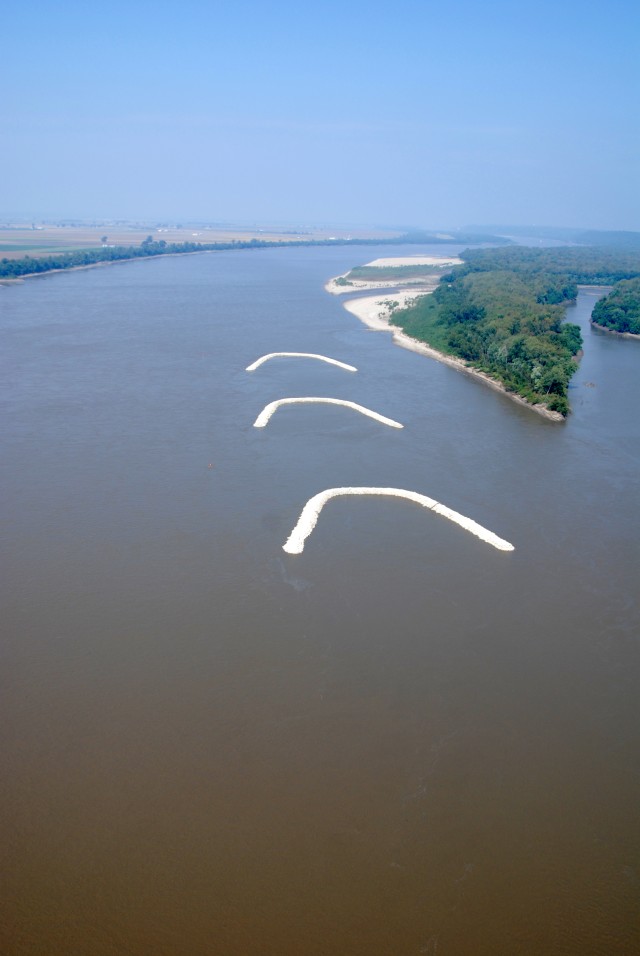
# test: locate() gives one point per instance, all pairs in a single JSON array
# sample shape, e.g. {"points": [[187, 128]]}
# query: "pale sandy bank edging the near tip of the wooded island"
{"points": [[375, 313]]}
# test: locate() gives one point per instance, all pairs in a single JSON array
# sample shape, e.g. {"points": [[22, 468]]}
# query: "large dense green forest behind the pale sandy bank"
{"points": [[502, 311]]}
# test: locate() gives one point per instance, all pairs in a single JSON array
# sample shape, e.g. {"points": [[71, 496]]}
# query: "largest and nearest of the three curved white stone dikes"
{"points": [[311, 511]]}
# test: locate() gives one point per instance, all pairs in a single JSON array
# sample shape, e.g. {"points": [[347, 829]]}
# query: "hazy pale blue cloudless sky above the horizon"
{"points": [[413, 113]]}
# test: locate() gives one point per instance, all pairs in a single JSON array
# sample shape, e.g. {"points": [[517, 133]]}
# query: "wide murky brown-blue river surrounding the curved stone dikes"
{"points": [[400, 741]]}
